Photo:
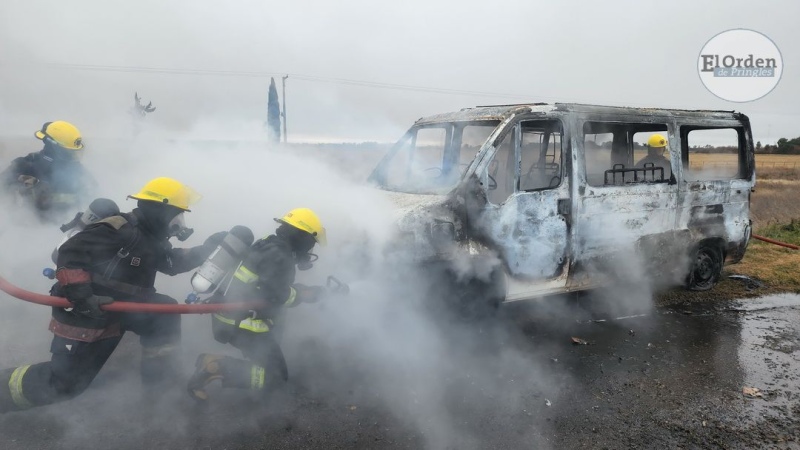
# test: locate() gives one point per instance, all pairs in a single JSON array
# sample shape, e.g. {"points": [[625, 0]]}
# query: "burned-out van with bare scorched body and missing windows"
{"points": [[521, 201]]}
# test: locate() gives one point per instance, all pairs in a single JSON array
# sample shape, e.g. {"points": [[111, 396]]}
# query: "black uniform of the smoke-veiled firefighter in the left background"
{"points": [[56, 181]]}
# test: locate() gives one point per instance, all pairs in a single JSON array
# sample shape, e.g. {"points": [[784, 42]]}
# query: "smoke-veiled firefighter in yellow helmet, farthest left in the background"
{"points": [[52, 180]]}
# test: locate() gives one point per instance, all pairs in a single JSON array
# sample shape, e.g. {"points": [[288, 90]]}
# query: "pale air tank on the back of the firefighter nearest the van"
{"points": [[221, 261]]}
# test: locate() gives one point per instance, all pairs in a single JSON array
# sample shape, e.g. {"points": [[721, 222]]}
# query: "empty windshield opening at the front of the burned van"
{"points": [[432, 158]]}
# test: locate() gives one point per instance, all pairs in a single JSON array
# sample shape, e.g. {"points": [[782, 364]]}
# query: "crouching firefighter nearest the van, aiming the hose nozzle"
{"points": [[265, 275]]}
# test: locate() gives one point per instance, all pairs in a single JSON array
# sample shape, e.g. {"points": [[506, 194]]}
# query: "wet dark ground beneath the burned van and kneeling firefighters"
{"points": [[534, 377]]}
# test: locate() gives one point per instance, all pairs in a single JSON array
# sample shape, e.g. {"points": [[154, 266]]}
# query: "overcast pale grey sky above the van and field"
{"points": [[364, 71]]}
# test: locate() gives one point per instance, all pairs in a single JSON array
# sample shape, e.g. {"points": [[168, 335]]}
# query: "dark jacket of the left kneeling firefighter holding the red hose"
{"points": [[123, 256]]}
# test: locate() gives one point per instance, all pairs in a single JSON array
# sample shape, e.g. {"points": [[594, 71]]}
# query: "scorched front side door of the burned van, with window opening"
{"points": [[526, 217]]}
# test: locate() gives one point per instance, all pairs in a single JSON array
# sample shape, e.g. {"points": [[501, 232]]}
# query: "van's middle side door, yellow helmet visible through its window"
{"points": [[626, 213]]}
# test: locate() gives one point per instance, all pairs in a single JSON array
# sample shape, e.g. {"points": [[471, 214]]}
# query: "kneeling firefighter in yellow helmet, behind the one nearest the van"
{"points": [[114, 259]]}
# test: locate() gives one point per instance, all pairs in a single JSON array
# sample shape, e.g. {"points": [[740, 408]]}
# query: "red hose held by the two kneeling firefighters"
{"points": [[121, 306]]}
